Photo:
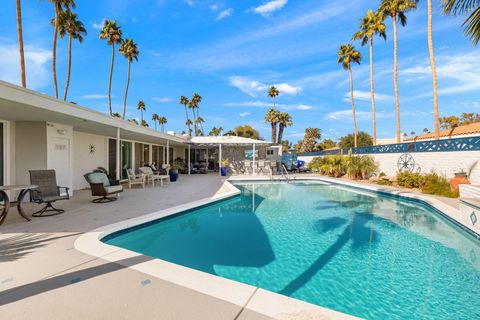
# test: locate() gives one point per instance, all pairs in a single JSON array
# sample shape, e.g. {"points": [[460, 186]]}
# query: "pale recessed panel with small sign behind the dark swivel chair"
{"points": [[59, 160]]}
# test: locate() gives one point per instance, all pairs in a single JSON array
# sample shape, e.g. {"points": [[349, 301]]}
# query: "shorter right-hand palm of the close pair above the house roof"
{"points": [[68, 23]]}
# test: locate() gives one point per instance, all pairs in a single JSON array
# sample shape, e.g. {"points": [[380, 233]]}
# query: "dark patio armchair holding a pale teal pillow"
{"points": [[102, 187]]}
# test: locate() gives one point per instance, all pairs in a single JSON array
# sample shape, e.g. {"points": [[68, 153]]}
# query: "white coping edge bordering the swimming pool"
{"points": [[246, 297]]}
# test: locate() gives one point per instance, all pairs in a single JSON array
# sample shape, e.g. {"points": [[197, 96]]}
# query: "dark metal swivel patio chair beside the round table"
{"points": [[47, 192]]}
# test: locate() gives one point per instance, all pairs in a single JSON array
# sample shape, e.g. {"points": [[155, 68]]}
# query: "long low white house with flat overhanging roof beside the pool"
{"points": [[40, 132]]}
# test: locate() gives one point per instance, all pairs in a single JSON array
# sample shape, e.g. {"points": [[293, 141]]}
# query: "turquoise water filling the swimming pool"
{"points": [[361, 253]]}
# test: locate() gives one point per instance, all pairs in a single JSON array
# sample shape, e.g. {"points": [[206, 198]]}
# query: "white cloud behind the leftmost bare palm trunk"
{"points": [[36, 65]]}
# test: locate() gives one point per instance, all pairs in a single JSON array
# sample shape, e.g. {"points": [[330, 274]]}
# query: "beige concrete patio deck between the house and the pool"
{"points": [[43, 276]]}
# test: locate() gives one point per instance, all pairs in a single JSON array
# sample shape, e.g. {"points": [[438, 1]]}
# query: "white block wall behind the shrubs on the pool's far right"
{"points": [[445, 163]]}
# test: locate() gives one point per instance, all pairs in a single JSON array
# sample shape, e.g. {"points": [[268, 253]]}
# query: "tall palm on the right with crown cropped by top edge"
{"points": [[396, 9]]}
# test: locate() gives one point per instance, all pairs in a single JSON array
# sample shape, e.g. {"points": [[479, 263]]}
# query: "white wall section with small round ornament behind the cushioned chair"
{"points": [[83, 160]]}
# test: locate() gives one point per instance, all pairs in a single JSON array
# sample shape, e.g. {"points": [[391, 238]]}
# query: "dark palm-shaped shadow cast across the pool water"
{"points": [[357, 230]]}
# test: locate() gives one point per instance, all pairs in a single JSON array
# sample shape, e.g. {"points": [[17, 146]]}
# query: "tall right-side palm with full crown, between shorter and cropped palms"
{"points": [[372, 24]]}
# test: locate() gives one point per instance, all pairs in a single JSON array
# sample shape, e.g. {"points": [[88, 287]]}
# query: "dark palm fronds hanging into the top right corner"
{"points": [[472, 23]]}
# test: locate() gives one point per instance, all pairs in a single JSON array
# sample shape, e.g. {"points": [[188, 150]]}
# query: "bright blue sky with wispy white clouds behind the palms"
{"points": [[231, 51]]}
